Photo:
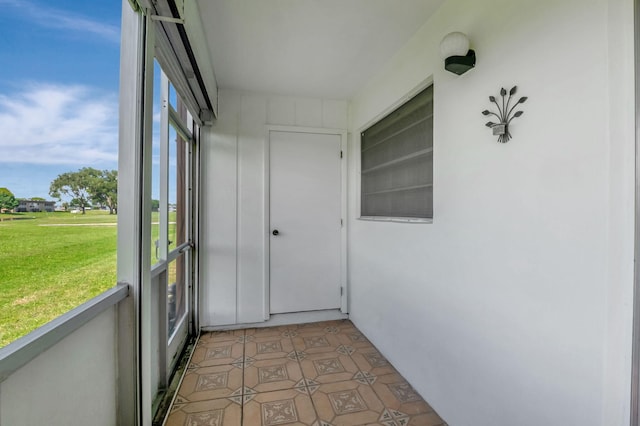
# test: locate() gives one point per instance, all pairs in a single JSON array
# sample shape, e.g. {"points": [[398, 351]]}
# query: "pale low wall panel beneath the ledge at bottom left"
{"points": [[73, 383]]}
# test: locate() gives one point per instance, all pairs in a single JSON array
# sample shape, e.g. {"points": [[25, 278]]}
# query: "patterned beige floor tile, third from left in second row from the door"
{"points": [[328, 367]]}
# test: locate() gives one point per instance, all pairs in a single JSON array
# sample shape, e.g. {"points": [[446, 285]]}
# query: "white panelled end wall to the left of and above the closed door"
{"points": [[233, 229]]}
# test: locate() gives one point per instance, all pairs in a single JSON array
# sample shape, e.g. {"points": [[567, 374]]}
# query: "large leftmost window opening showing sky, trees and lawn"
{"points": [[59, 161]]}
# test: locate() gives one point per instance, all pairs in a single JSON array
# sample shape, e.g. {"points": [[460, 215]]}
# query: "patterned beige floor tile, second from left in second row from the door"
{"points": [[272, 374]]}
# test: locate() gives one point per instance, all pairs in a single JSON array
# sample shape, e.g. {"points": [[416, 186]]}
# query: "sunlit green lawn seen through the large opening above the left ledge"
{"points": [[51, 263]]}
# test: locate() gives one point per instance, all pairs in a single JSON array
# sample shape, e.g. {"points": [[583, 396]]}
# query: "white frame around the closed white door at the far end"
{"points": [[344, 302]]}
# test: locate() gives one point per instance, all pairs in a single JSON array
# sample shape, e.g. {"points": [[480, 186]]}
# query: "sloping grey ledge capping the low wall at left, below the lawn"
{"points": [[20, 352]]}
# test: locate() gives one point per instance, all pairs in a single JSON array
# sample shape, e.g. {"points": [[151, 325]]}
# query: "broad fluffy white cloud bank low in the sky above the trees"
{"points": [[57, 124]]}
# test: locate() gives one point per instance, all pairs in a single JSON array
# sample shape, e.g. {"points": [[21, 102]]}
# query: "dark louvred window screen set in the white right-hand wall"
{"points": [[397, 162]]}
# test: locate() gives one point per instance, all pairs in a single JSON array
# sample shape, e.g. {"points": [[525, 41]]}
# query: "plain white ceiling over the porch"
{"points": [[318, 48]]}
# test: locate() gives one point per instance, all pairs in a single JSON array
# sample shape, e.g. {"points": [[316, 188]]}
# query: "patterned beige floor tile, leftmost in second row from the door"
{"points": [[210, 383]]}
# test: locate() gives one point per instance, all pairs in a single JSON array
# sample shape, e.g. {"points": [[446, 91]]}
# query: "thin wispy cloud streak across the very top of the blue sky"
{"points": [[61, 19]]}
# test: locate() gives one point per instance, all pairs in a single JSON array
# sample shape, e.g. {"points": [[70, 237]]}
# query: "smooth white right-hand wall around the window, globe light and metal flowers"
{"points": [[514, 306]]}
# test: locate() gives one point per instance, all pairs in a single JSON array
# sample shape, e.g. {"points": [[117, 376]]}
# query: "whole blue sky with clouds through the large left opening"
{"points": [[59, 70]]}
